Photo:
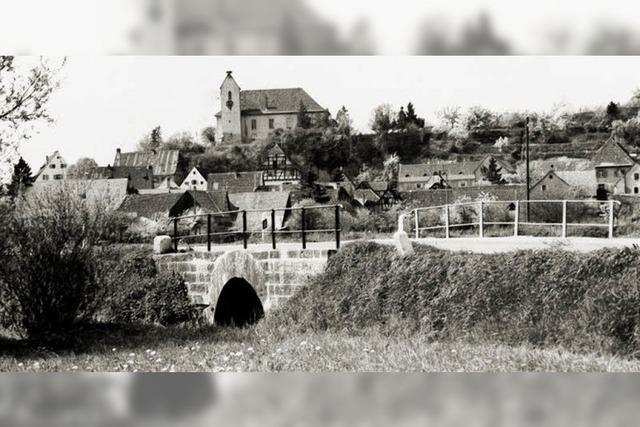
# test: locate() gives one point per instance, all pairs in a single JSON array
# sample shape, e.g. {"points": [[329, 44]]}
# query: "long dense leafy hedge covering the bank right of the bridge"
{"points": [[549, 297]]}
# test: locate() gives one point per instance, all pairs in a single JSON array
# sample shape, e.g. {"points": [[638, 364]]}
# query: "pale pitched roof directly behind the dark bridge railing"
{"points": [[261, 200]]}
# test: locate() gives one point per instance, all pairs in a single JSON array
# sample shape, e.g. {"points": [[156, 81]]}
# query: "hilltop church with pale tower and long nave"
{"points": [[250, 115]]}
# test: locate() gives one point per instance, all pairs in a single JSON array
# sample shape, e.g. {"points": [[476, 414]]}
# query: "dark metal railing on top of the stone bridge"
{"points": [[241, 229]]}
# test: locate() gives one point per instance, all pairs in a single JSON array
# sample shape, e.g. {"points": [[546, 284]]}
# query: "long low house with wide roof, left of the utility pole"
{"points": [[437, 175]]}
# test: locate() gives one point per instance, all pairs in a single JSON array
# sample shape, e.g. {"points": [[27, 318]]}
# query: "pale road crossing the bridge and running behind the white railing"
{"points": [[472, 244]]}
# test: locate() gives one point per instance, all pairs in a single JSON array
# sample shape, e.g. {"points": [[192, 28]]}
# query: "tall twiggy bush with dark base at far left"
{"points": [[47, 270]]}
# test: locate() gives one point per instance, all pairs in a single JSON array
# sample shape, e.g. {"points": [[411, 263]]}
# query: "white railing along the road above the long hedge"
{"points": [[517, 216]]}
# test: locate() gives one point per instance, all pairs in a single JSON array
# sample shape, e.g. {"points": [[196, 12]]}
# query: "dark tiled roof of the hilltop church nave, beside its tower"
{"points": [[269, 101]]}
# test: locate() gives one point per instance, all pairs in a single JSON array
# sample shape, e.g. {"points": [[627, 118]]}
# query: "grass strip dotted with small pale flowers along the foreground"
{"points": [[266, 349]]}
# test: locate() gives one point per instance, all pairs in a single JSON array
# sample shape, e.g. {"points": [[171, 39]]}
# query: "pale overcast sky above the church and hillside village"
{"points": [[110, 102]]}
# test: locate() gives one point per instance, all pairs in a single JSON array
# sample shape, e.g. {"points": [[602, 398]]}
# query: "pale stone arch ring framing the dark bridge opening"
{"points": [[230, 274]]}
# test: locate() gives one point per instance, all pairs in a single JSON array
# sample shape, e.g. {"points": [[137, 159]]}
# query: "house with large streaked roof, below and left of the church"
{"points": [[166, 165]]}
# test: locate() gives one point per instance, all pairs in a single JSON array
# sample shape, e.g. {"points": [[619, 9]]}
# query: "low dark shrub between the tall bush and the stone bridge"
{"points": [[135, 293]]}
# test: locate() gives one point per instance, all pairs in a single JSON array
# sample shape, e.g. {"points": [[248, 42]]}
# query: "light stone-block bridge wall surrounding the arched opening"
{"points": [[274, 275]]}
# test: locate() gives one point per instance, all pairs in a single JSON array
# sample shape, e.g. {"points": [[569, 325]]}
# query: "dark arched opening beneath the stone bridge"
{"points": [[238, 304]]}
